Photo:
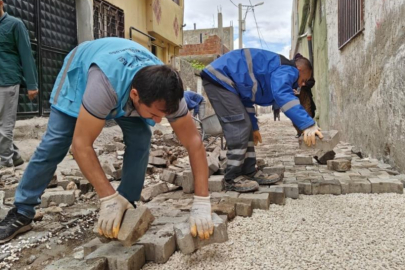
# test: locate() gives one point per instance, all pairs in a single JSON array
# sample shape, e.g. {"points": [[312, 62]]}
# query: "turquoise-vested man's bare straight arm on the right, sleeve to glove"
{"points": [[188, 135]]}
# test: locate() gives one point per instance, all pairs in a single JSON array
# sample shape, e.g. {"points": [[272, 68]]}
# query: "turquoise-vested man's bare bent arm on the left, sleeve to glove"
{"points": [[87, 130]]}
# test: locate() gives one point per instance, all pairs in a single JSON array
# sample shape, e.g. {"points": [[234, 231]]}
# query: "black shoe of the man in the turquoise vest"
{"points": [[12, 225]]}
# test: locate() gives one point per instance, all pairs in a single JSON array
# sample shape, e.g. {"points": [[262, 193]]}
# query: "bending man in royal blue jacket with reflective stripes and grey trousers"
{"points": [[234, 83]]}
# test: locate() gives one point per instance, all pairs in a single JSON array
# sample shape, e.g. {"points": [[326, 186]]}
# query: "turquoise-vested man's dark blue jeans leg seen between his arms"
{"points": [[137, 136]]}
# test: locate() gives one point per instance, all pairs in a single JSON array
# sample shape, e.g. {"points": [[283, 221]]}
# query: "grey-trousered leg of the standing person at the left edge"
{"points": [[8, 117]]}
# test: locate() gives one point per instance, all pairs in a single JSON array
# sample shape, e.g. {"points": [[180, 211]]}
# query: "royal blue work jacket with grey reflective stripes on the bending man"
{"points": [[260, 77]]}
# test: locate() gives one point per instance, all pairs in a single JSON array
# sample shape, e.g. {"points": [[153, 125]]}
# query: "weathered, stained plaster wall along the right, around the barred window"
{"points": [[366, 81]]}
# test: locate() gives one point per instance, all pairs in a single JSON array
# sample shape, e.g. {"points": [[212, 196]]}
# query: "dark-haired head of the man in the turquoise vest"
{"points": [[156, 92]]}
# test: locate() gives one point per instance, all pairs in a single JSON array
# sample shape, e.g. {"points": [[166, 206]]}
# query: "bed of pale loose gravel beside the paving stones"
{"points": [[357, 231]]}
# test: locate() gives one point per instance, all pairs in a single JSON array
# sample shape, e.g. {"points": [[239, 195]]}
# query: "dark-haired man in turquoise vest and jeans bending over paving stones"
{"points": [[111, 78]]}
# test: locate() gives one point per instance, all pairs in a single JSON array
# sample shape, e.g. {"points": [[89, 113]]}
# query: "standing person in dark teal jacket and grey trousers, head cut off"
{"points": [[17, 66]]}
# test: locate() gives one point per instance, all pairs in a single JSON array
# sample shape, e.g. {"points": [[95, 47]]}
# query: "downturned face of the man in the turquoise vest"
{"points": [[156, 111]]}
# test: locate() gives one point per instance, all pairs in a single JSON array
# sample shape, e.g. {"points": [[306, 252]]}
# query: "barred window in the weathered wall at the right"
{"points": [[350, 16]]}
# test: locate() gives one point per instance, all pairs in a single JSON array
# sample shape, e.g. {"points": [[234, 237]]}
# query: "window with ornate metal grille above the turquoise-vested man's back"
{"points": [[108, 20]]}
